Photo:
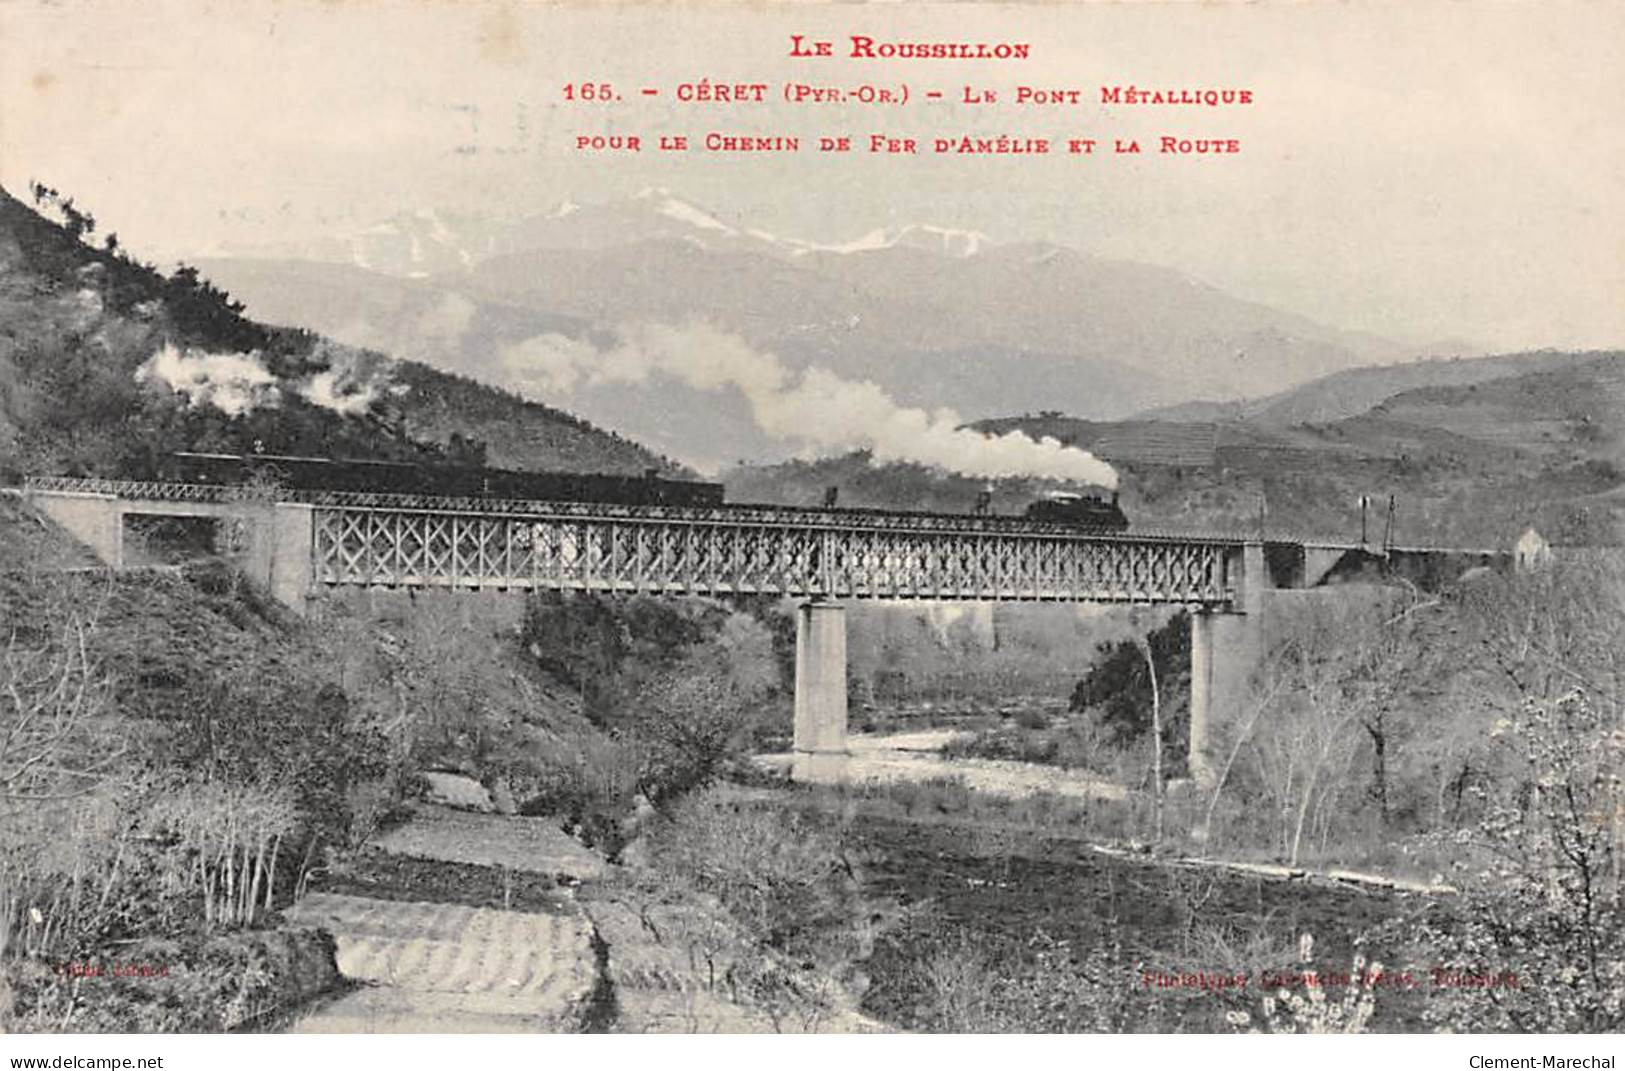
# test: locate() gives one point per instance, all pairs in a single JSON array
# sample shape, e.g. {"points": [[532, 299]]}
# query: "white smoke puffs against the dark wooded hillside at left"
{"points": [[240, 383]]}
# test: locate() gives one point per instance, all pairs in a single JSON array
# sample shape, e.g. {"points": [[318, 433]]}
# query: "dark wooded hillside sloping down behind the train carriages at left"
{"points": [[106, 362]]}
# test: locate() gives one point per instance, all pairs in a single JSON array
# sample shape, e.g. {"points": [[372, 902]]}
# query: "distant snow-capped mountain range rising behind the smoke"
{"points": [[934, 316]]}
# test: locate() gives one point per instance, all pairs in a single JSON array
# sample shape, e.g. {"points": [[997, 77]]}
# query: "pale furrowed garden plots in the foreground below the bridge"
{"points": [[441, 968]]}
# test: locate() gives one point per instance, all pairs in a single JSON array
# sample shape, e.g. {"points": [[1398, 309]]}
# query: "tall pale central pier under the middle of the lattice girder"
{"points": [[821, 692]]}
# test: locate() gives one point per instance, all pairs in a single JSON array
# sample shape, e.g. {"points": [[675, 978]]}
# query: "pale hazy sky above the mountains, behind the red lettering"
{"points": [[1418, 170]]}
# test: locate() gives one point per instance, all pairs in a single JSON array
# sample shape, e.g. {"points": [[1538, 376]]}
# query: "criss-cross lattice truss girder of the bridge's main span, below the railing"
{"points": [[423, 549]]}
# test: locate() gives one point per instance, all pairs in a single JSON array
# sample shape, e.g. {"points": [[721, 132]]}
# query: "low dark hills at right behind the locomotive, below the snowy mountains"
{"points": [[1471, 453]]}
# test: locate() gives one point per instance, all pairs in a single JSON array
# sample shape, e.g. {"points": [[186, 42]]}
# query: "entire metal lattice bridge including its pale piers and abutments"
{"points": [[308, 542]]}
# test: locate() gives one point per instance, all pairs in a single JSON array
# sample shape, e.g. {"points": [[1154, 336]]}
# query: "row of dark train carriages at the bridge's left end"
{"points": [[459, 482]]}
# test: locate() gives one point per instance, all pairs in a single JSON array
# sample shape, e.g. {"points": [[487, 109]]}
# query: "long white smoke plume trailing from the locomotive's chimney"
{"points": [[818, 409]]}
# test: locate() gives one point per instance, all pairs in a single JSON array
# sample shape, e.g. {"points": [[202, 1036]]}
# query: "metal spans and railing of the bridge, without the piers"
{"points": [[418, 542]]}
